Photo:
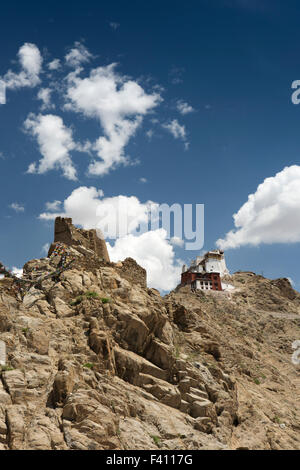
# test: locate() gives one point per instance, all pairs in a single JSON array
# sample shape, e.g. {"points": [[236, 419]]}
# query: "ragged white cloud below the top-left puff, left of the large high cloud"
{"points": [[55, 142]]}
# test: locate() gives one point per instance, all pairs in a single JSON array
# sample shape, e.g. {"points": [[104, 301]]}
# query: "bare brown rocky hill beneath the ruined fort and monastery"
{"points": [[96, 360]]}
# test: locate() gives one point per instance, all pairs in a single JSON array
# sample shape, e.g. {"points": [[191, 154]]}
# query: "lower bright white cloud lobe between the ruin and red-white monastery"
{"points": [[153, 252]]}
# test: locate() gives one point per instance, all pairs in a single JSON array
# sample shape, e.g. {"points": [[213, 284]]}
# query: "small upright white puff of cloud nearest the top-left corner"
{"points": [[30, 60]]}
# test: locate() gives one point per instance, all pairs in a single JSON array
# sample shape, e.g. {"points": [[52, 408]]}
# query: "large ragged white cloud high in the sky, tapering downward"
{"points": [[118, 103]]}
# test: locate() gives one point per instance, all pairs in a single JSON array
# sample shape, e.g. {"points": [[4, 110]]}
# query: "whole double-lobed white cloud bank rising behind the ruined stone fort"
{"points": [[152, 249]]}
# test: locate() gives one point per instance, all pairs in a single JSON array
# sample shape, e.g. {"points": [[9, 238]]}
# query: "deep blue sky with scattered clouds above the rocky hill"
{"points": [[213, 120]]}
